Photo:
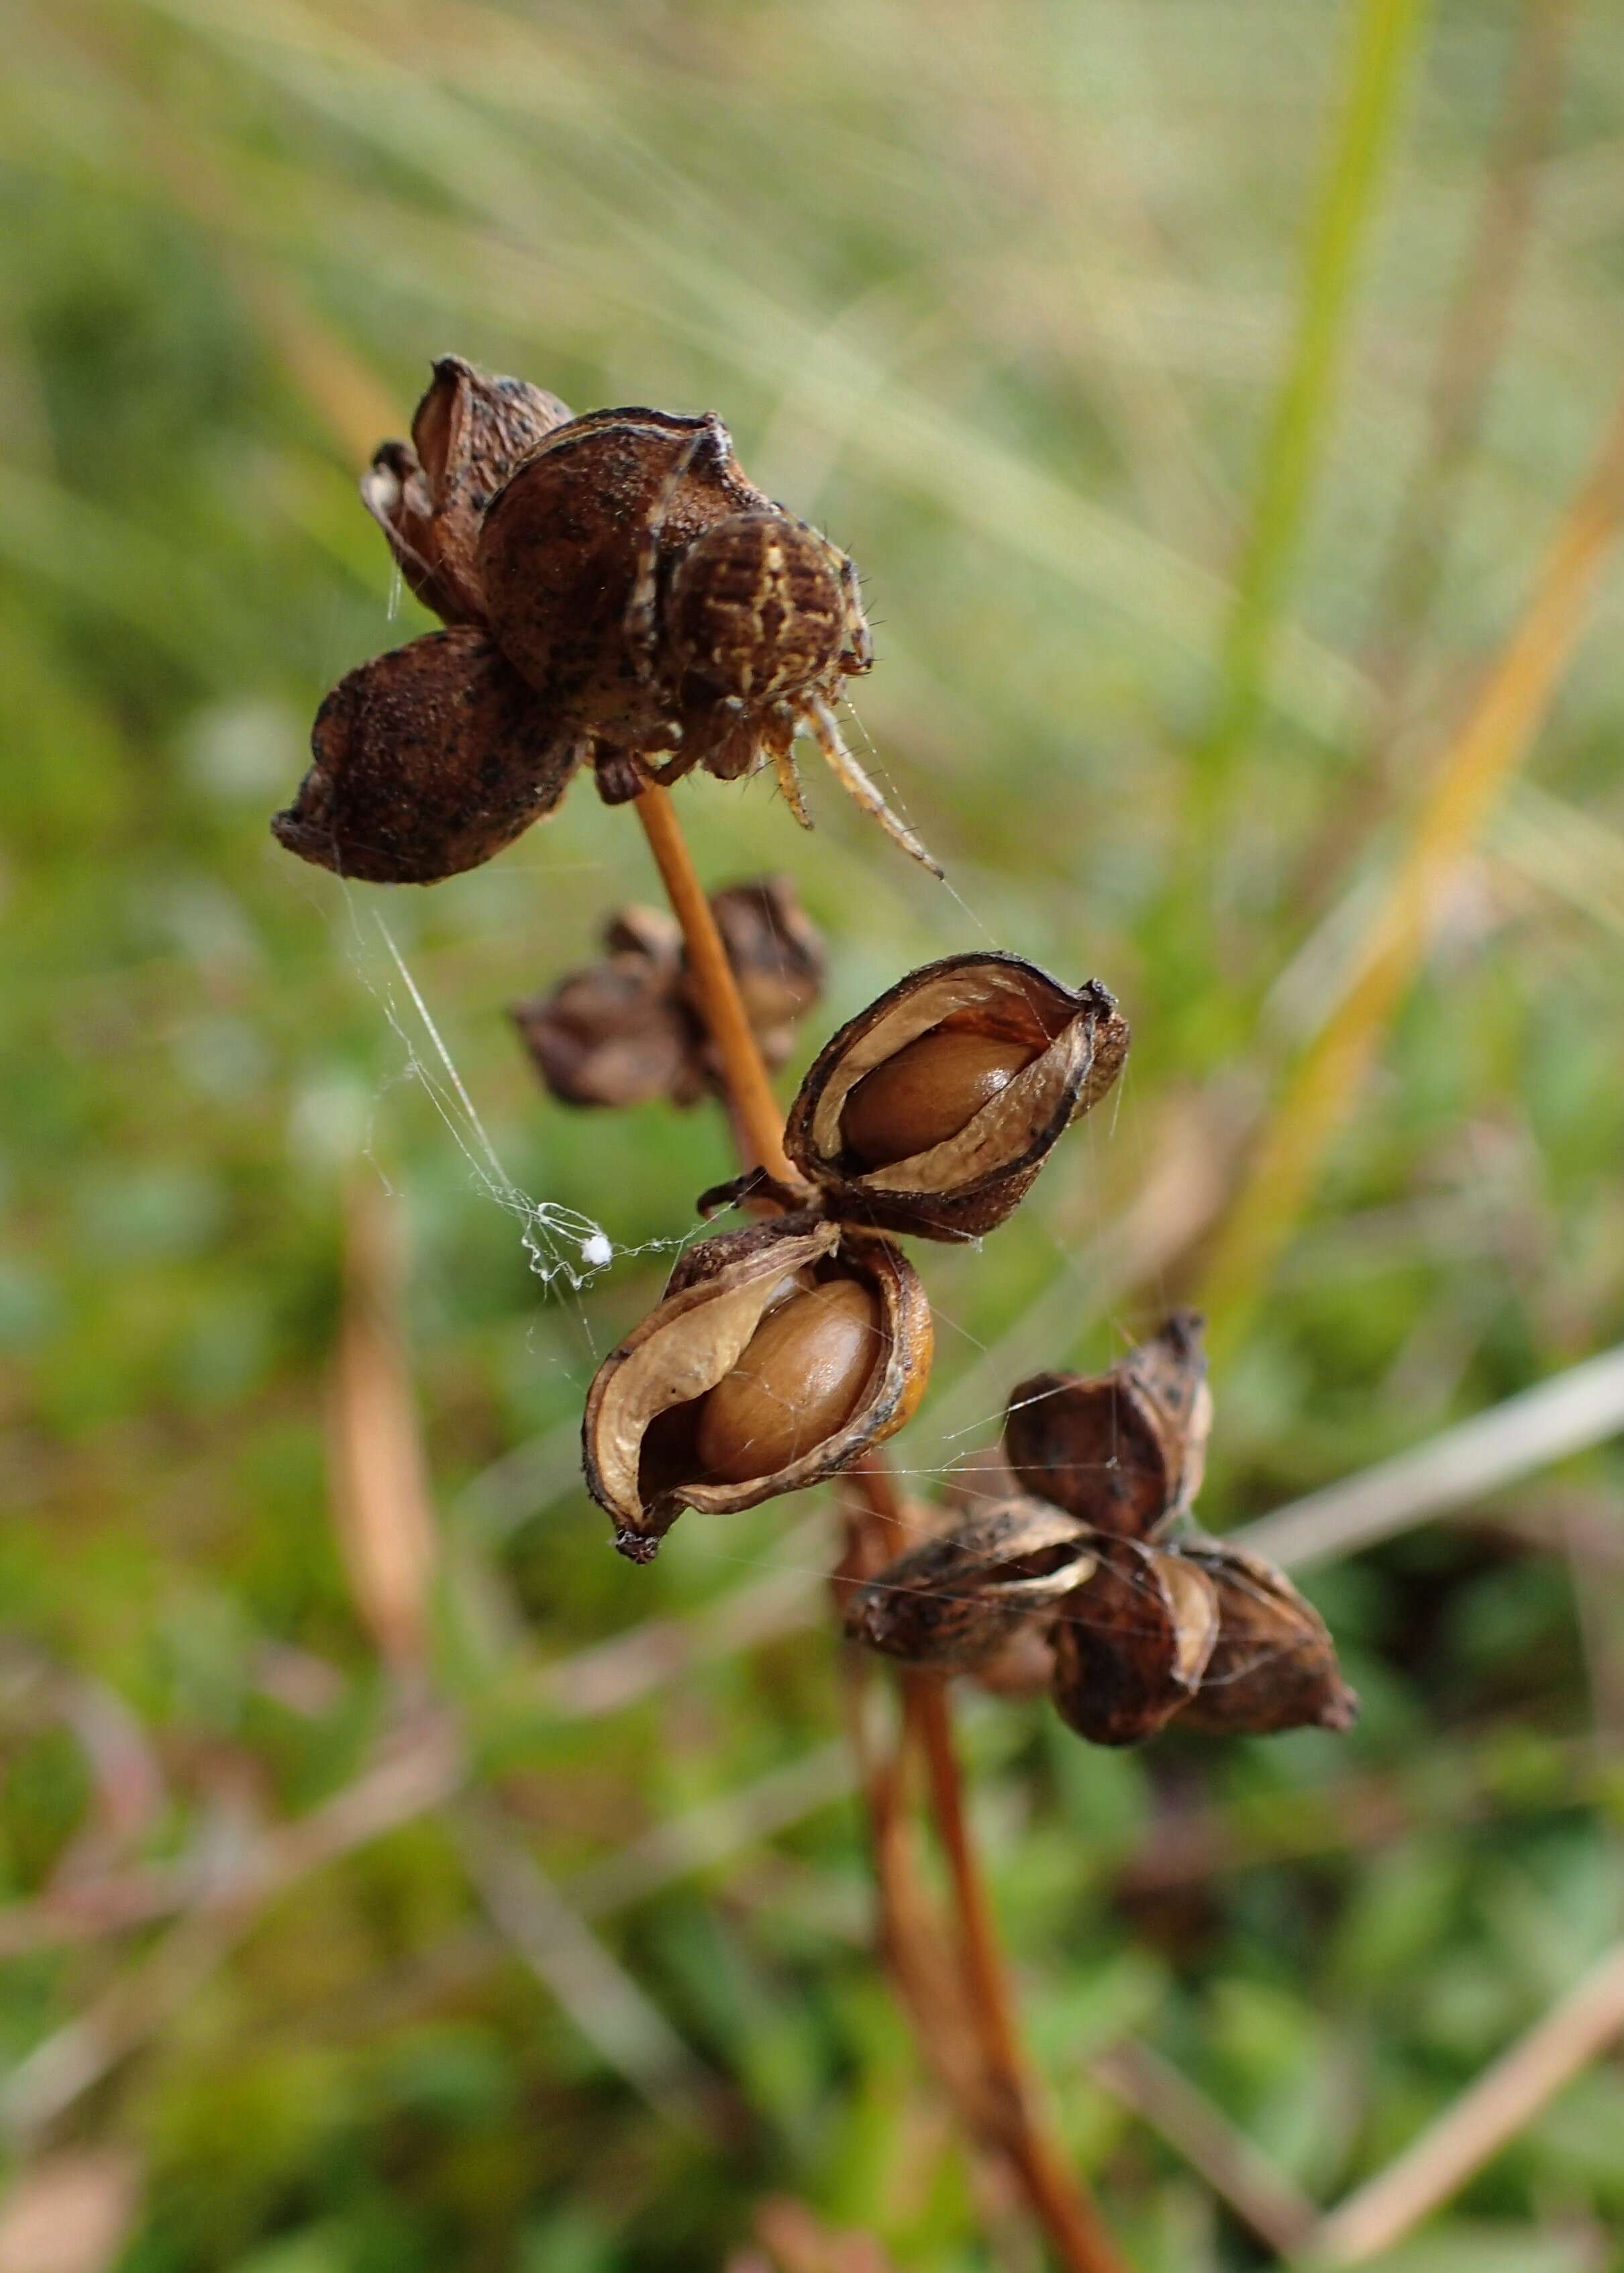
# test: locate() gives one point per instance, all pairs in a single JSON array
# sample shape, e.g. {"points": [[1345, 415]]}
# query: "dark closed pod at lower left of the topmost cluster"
{"points": [[426, 763]]}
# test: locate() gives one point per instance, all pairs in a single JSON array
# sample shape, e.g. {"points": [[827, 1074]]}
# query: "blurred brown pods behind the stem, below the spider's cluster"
{"points": [[629, 1029]]}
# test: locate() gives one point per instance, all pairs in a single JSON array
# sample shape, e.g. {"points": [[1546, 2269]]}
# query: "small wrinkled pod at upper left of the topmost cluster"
{"points": [[470, 433]]}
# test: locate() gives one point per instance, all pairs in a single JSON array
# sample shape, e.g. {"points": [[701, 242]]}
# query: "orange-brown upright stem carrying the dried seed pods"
{"points": [[1057, 2197]]}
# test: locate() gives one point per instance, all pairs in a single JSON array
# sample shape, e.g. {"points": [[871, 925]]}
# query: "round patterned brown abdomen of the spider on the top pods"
{"points": [[759, 608]]}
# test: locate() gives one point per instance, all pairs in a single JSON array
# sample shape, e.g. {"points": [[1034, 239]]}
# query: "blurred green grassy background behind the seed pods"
{"points": [[1200, 385]]}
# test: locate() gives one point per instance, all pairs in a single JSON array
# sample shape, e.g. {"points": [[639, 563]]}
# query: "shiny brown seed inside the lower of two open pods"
{"points": [[795, 1385]]}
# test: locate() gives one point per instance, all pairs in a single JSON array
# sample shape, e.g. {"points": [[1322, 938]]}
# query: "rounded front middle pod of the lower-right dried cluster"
{"points": [[1134, 1645]]}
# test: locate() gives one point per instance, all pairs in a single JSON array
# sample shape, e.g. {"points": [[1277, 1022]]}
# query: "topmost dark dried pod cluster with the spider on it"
{"points": [[652, 608]]}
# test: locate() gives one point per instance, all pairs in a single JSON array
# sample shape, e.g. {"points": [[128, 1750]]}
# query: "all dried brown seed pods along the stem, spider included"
{"points": [[618, 594]]}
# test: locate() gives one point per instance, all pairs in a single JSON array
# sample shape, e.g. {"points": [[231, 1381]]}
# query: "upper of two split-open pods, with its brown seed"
{"points": [[986, 1049]]}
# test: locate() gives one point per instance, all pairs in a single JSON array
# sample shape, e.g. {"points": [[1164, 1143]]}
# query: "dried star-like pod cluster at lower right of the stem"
{"points": [[1097, 1585]]}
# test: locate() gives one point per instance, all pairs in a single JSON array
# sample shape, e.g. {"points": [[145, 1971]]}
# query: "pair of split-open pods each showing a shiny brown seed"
{"points": [[754, 1379]]}
